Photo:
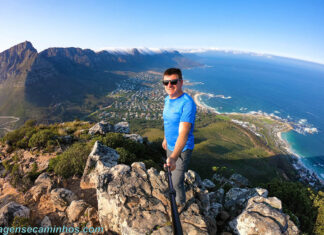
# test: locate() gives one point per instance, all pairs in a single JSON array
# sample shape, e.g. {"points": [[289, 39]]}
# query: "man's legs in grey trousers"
{"points": [[178, 174]]}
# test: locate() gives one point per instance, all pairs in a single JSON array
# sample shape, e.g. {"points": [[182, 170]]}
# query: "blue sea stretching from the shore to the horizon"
{"points": [[287, 88]]}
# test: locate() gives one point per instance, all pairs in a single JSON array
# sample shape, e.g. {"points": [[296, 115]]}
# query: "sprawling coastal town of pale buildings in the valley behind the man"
{"points": [[140, 97]]}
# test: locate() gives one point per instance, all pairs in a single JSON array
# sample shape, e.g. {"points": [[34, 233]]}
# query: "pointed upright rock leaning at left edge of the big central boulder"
{"points": [[100, 159]]}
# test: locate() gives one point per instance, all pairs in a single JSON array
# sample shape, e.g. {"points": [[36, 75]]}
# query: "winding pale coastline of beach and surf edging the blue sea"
{"points": [[306, 174]]}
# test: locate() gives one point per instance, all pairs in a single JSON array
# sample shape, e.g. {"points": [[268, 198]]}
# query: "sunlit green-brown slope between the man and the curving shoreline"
{"points": [[221, 143]]}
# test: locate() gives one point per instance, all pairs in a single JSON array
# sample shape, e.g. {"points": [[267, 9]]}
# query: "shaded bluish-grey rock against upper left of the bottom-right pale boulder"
{"points": [[236, 198]]}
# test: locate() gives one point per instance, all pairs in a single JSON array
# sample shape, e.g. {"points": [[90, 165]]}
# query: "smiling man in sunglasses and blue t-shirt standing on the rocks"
{"points": [[179, 119]]}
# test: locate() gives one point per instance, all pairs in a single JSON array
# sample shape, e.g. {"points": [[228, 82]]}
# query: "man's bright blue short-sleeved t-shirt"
{"points": [[181, 109]]}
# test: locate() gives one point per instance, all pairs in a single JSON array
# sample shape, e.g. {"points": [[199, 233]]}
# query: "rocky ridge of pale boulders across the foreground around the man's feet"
{"points": [[134, 200]]}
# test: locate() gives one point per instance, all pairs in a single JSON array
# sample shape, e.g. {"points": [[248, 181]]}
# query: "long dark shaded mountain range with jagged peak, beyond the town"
{"points": [[64, 83]]}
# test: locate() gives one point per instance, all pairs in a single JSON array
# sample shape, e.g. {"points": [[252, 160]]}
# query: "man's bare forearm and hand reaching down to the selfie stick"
{"points": [[184, 129]]}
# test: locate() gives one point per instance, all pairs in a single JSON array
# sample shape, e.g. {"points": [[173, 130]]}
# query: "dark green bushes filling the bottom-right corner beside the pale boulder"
{"points": [[304, 206]]}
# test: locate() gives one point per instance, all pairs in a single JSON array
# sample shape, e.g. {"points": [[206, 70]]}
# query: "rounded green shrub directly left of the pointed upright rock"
{"points": [[72, 161]]}
